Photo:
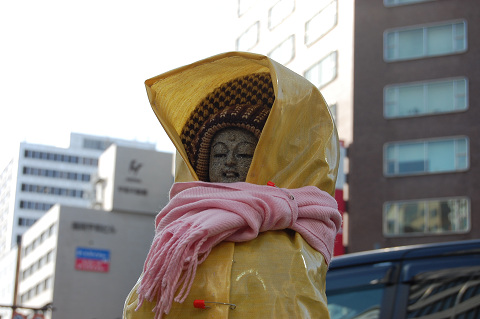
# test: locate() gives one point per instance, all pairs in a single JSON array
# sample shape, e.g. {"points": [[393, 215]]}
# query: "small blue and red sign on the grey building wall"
{"points": [[88, 259]]}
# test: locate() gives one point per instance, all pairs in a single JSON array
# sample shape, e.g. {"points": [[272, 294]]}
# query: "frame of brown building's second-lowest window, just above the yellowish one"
{"points": [[425, 156]]}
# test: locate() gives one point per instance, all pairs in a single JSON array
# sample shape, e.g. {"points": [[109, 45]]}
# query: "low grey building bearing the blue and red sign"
{"points": [[83, 262]]}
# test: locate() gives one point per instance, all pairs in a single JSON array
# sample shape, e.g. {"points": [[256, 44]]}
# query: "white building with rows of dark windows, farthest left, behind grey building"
{"points": [[40, 176]]}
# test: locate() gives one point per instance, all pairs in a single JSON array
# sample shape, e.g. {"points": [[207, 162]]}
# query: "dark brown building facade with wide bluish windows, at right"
{"points": [[415, 161]]}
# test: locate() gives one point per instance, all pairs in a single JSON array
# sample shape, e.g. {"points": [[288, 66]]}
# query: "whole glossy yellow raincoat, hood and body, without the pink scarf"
{"points": [[278, 274]]}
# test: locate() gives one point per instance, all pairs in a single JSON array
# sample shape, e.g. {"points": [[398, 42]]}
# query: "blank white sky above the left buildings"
{"points": [[80, 66]]}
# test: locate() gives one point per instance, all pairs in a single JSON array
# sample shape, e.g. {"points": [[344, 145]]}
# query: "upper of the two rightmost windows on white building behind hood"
{"points": [[321, 23]]}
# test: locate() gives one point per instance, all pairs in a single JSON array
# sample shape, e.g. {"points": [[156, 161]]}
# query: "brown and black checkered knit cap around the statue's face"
{"points": [[244, 102]]}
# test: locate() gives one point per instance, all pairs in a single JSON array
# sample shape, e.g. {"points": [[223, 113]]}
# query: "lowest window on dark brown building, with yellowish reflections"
{"points": [[428, 216]]}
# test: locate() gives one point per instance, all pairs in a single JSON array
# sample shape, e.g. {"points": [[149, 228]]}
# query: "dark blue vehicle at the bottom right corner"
{"points": [[422, 281]]}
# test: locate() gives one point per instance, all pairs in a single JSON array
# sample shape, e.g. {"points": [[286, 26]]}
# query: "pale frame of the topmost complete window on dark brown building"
{"points": [[424, 28]]}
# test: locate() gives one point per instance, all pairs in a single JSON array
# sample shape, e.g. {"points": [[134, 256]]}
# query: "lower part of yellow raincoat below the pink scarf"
{"points": [[289, 284]]}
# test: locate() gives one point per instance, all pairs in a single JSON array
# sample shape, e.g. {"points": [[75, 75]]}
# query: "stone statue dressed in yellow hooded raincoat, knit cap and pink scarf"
{"points": [[240, 121]]}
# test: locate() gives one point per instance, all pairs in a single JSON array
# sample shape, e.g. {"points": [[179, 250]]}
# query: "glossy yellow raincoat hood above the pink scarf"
{"points": [[299, 143]]}
